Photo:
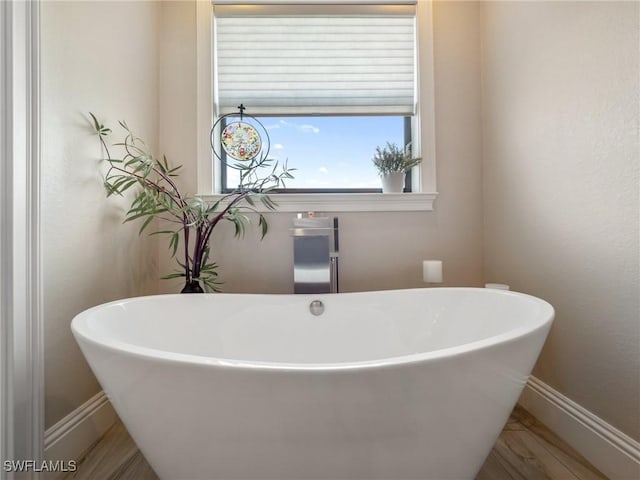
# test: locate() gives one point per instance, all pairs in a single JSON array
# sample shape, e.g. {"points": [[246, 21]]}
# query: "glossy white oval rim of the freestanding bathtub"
{"points": [[544, 321]]}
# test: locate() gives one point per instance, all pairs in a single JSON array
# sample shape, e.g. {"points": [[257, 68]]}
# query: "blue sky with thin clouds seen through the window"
{"points": [[331, 152]]}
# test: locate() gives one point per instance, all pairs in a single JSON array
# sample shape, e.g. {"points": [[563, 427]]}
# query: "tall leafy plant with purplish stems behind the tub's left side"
{"points": [[157, 196]]}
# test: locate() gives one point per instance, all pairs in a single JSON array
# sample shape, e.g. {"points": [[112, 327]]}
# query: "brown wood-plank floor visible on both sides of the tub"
{"points": [[526, 450]]}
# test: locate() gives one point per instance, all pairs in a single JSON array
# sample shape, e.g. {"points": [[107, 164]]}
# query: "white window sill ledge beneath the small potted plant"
{"points": [[347, 202]]}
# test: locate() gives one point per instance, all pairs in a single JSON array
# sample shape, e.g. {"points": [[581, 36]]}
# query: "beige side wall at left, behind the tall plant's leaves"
{"points": [[99, 57]]}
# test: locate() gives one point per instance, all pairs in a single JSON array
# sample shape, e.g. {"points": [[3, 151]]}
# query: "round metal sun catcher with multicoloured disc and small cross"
{"points": [[240, 140]]}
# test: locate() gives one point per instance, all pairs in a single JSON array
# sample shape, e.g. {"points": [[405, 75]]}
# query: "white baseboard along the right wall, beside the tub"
{"points": [[612, 452]]}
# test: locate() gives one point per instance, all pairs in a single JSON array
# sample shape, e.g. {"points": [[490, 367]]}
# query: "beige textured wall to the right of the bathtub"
{"points": [[561, 122]]}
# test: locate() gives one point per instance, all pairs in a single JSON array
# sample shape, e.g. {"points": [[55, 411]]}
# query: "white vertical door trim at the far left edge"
{"points": [[21, 329]]}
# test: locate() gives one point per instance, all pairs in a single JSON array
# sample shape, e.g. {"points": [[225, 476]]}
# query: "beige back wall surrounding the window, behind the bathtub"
{"points": [[378, 250]]}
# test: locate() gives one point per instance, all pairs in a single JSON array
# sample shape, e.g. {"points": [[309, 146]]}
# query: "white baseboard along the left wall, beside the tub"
{"points": [[70, 438]]}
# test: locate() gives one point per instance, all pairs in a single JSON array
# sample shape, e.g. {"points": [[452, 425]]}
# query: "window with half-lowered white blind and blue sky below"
{"points": [[328, 82]]}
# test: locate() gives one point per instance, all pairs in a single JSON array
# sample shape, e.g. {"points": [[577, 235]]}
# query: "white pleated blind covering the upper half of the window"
{"points": [[315, 59]]}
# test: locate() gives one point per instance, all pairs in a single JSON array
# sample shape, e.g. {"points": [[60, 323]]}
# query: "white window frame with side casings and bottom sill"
{"points": [[423, 179]]}
